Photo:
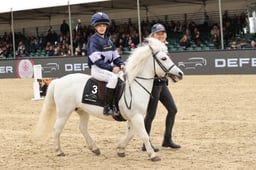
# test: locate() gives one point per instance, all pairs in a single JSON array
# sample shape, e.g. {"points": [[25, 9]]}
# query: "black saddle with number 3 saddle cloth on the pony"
{"points": [[94, 93]]}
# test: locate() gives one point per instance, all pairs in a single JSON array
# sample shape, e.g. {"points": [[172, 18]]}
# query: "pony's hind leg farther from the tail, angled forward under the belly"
{"points": [[83, 126]]}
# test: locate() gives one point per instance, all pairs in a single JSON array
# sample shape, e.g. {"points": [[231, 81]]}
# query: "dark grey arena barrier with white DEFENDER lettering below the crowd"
{"points": [[192, 63]]}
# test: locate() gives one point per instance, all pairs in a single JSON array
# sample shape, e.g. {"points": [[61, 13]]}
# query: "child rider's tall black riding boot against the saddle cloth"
{"points": [[108, 107]]}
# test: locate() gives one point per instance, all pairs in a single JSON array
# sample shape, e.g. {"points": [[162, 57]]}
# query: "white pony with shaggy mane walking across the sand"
{"points": [[64, 96]]}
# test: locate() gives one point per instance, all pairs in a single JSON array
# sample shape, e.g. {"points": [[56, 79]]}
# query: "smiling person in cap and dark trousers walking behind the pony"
{"points": [[161, 92]]}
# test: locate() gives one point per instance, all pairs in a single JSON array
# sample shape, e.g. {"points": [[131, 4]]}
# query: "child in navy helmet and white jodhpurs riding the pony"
{"points": [[103, 58]]}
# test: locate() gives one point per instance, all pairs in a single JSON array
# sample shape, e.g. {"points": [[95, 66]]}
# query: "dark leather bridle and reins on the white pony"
{"points": [[166, 70]]}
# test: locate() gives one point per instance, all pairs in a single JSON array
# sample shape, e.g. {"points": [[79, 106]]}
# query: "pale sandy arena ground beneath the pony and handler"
{"points": [[215, 125]]}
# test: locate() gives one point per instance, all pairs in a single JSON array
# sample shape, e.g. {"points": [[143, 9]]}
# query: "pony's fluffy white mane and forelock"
{"points": [[136, 62]]}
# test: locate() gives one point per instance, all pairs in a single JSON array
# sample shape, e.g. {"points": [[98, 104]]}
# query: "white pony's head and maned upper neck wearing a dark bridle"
{"points": [[154, 57]]}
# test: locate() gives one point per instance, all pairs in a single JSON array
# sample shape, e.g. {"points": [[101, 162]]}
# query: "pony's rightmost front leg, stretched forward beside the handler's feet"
{"points": [[138, 123]]}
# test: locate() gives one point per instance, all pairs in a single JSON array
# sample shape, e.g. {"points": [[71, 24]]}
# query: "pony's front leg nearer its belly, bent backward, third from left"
{"points": [[125, 140]]}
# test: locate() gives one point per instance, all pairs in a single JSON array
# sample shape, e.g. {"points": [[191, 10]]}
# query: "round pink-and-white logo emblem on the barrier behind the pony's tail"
{"points": [[24, 68]]}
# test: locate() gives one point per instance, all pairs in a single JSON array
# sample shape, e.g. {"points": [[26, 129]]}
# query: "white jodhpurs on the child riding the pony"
{"points": [[104, 75]]}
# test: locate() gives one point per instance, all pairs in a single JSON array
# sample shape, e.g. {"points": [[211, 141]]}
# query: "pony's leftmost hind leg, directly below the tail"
{"points": [[62, 117]]}
